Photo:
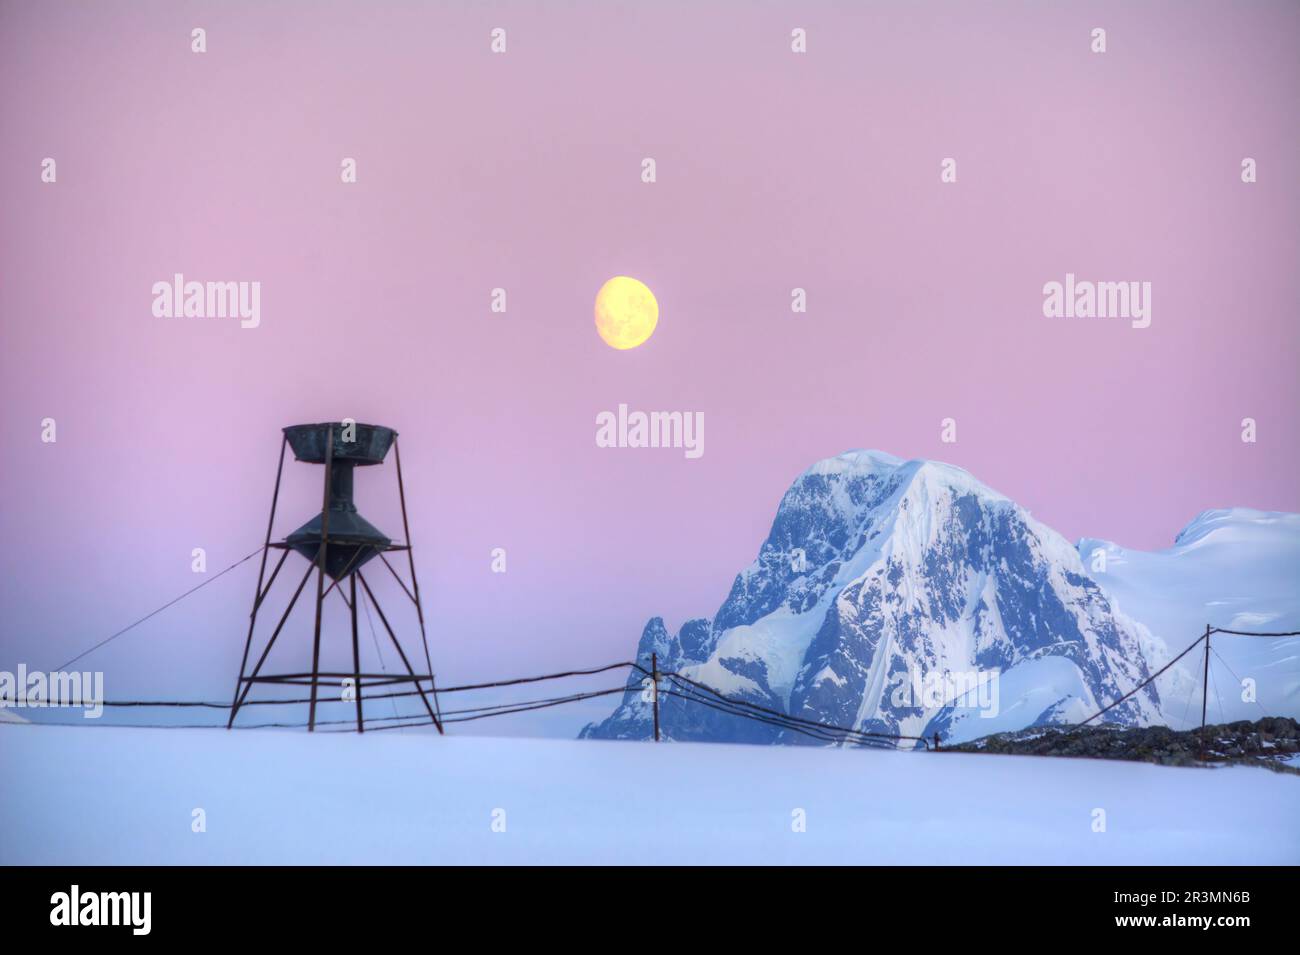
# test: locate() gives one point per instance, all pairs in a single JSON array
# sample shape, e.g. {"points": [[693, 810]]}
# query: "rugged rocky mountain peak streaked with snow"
{"points": [[886, 592]]}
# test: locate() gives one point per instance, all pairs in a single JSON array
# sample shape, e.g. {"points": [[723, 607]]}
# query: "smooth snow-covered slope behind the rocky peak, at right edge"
{"points": [[1233, 568]]}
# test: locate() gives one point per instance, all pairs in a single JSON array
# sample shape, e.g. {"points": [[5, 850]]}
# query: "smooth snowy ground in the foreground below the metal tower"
{"points": [[102, 795]]}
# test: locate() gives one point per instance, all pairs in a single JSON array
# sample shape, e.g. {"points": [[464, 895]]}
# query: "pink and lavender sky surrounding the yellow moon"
{"points": [[523, 171]]}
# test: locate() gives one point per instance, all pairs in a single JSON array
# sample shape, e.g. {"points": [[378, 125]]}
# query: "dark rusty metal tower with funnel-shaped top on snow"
{"points": [[337, 544]]}
